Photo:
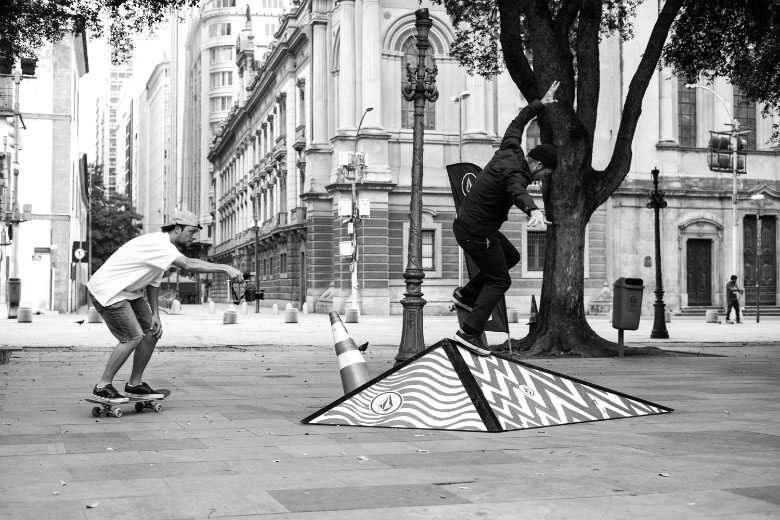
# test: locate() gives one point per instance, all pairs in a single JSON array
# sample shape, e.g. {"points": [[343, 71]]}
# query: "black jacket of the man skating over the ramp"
{"points": [[502, 183]]}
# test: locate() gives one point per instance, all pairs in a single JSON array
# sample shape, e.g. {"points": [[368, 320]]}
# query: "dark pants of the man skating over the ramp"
{"points": [[495, 256]]}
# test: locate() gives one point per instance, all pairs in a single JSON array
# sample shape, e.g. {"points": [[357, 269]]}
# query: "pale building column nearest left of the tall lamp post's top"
{"points": [[372, 62]]}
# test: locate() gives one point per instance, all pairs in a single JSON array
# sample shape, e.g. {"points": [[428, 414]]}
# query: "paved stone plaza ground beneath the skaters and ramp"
{"points": [[230, 444]]}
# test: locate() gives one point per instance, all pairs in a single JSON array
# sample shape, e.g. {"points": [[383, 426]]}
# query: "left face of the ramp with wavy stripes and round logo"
{"points": [[432, 398]]}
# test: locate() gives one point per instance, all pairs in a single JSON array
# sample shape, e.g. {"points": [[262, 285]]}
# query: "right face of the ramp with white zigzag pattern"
{"points": [[522, 397]]}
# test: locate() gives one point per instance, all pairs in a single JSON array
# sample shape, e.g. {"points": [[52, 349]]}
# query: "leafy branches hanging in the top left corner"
{"points": [[26, 25]]}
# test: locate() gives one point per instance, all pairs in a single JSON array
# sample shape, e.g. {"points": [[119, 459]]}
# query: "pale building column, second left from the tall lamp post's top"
{"points": [[347, 98]]}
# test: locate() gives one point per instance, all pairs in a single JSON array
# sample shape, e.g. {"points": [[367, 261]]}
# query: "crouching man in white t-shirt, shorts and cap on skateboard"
{"points": [[116, 292]]}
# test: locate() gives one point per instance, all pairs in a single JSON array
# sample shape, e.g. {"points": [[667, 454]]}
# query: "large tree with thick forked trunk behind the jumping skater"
{"points": [[541, 41]]}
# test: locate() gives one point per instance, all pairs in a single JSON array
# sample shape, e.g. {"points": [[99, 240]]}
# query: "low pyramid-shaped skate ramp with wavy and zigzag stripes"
{"points": [[446, 387]]}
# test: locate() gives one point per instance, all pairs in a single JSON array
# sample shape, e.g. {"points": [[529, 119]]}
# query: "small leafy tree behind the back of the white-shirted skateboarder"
{"points": [[114, 221]]}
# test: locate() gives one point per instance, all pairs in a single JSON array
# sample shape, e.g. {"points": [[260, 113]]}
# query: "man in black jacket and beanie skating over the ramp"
{"points": [[500, 185]]}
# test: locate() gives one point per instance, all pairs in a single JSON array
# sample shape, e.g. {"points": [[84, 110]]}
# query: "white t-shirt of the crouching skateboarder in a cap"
{"points": [[134, 266]]}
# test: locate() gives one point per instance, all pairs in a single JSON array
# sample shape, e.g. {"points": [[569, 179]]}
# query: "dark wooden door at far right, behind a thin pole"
{"points": [[767, 260]]}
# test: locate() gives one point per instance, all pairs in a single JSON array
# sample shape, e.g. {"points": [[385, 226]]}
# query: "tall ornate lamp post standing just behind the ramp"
{"points": [[420, 87]]}
